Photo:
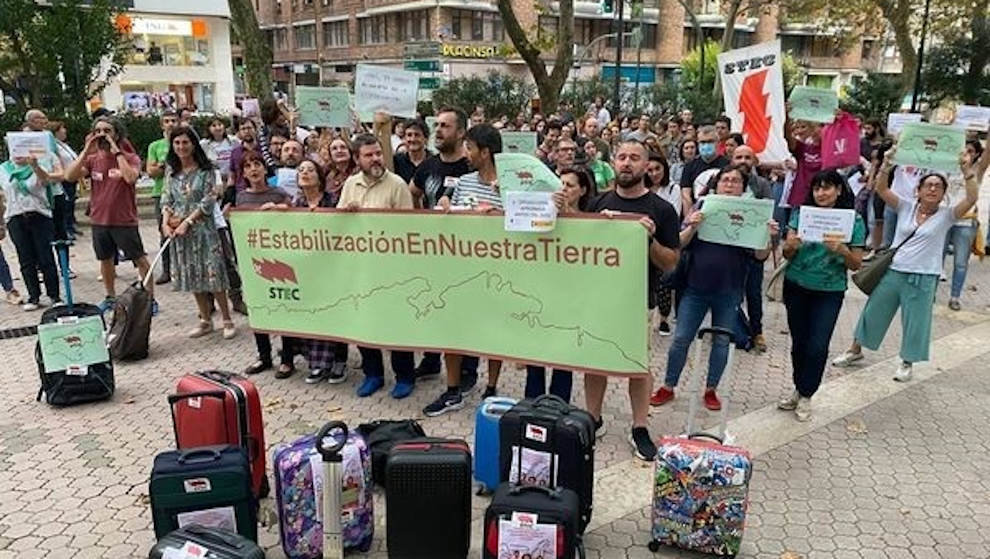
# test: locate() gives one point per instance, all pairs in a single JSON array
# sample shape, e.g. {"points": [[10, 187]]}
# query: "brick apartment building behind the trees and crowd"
{"points": [[320, 41]]}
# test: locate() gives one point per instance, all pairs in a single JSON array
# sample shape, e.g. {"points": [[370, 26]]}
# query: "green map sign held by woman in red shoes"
{"points": [[736, 221]]}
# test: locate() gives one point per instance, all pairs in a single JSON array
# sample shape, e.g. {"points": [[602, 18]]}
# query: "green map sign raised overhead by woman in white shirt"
{"points": [[930, 146]]}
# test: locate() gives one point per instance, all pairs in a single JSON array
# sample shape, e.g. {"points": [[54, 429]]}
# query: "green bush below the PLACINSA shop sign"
{"points": [[499, 93]]}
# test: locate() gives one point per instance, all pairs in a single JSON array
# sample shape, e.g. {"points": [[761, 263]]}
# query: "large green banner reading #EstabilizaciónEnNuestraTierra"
{"points": [[457, 282]]}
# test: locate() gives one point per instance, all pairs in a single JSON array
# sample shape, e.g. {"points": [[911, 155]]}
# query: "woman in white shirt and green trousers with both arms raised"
{"points": [[909, 285]]}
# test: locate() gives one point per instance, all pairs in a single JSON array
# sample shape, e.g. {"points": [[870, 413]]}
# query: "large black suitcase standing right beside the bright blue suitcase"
{"points": [[555, 442]]}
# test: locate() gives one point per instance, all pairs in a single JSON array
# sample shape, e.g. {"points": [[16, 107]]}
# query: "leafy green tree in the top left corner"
{"points": [[51, 55]]}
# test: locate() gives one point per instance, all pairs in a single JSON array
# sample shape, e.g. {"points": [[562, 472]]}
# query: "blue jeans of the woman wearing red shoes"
{"points": [[691, 312]]}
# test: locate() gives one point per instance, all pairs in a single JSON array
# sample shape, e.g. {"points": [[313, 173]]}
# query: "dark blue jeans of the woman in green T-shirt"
{"points": [[811, 317]]}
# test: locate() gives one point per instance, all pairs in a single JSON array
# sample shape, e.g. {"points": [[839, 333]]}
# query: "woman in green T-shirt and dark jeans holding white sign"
{"points": [[814, 287]]}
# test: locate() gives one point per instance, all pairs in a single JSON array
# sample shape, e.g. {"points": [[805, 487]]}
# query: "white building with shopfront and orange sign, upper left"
{"points": [[181, 57]]}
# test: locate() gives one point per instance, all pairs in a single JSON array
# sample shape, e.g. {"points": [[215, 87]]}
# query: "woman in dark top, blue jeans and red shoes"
{"points": [[713, 282]]}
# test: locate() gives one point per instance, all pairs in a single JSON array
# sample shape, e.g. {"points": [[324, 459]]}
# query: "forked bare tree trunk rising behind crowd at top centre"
{"points": [[550, 84]]}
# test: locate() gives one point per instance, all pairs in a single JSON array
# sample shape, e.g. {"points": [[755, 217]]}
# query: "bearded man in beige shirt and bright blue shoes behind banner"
{"points": [[375, 187]]}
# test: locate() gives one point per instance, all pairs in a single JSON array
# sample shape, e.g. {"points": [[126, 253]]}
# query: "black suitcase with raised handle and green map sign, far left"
{"points": [[64, 387]]}
